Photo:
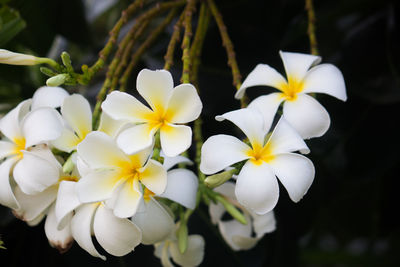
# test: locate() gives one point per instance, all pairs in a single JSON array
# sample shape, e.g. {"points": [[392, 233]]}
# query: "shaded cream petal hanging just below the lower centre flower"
{"points": [[156, 223]]}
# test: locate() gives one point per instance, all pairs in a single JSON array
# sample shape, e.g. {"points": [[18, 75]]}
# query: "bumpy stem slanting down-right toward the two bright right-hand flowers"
{"points": [[227, 43]]}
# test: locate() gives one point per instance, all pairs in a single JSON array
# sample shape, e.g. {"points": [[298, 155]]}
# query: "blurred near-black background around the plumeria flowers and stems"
{"points": [[348, 217]]}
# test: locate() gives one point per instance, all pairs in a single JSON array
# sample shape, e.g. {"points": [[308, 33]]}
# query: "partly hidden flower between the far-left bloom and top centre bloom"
{"points": [[77, 115]]}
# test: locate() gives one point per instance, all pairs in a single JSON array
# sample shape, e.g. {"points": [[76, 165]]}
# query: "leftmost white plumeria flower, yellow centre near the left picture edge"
{"points": [[24, 130]]}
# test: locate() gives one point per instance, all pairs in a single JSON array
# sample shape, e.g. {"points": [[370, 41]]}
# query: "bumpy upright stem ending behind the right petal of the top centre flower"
{"points": [[187, 23]]}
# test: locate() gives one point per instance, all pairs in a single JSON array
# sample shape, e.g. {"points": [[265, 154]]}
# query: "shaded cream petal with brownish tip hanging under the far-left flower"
{"points": [[31, 206]]}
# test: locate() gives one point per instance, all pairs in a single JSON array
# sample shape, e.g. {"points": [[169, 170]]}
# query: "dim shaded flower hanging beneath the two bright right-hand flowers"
{"points": [[237, 235]]}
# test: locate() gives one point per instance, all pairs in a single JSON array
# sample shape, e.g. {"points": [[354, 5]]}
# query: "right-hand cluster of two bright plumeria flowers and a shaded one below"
{"points": [[265, 156]]}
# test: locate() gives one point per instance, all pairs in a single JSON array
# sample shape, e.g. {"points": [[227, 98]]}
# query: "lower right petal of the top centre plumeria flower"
{"points": [[175, 139]]}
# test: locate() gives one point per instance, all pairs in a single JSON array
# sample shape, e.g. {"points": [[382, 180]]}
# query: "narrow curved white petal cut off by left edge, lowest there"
{"points": [[7, 197]]}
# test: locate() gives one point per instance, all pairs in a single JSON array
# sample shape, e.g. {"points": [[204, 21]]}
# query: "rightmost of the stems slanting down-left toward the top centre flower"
{"points": [[145, 45]]}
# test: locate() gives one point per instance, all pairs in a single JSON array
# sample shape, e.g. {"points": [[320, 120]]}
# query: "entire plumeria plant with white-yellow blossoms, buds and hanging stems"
{"points": [[133, 168]]}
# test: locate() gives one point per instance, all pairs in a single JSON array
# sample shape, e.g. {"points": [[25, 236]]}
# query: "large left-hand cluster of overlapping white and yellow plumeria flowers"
{"points": [[104, 182]]}
